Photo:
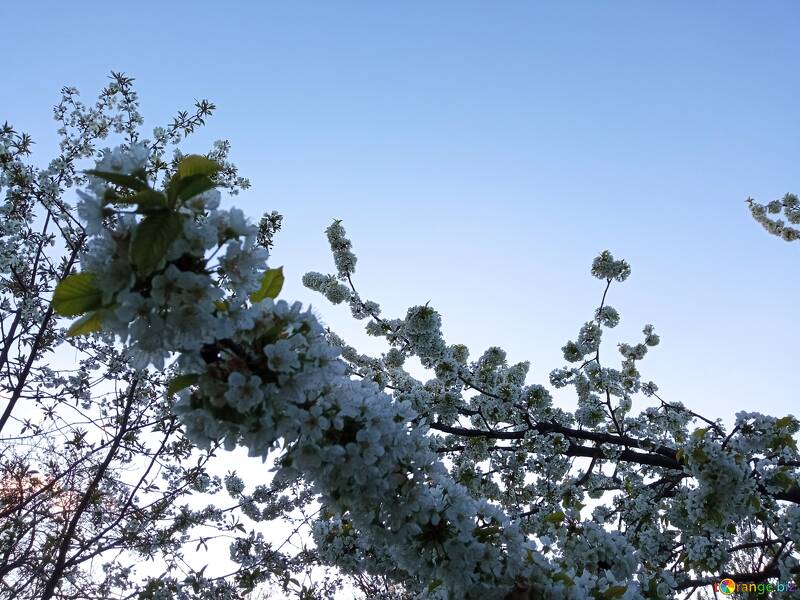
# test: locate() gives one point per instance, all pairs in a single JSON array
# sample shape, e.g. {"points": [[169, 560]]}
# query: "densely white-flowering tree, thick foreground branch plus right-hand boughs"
{"points": [[471, 484]]}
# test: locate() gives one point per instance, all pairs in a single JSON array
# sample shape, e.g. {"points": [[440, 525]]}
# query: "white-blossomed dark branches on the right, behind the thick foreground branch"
{"points": [[681, 495]]}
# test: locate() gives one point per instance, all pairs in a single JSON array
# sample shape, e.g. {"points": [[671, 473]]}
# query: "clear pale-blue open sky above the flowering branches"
{"points": [[481, 154]]}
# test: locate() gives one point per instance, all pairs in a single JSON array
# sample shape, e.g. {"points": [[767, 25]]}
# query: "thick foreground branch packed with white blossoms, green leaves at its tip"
{"points": [[255, 371]]}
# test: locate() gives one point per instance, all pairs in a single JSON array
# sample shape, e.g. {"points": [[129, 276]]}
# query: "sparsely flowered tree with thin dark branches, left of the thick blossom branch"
{"points": [[96, 474]]}
